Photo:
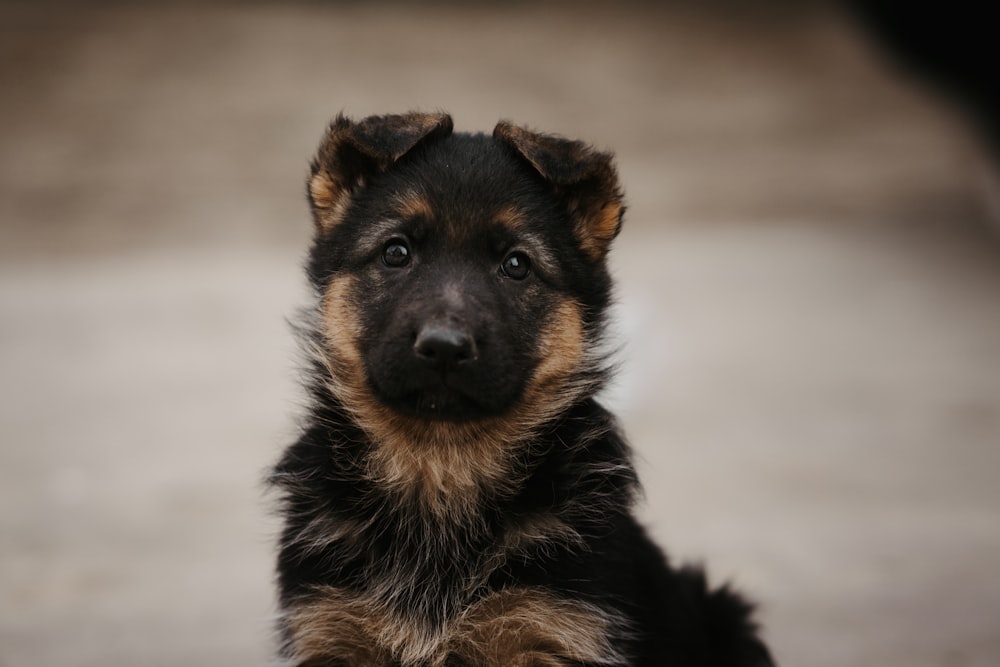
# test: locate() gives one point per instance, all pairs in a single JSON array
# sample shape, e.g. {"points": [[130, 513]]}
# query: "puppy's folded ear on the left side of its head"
{"points": [[351, 152]]}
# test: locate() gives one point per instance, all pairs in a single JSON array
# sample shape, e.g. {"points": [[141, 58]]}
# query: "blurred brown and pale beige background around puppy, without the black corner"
{"points": [[809, 287]]}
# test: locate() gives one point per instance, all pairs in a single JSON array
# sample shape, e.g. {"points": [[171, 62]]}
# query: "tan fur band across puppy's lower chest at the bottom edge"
{"points": [[518, 626]]}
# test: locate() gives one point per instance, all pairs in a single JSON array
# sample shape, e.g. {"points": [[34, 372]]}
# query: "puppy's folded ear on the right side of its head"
{"points": [[586, 180]]}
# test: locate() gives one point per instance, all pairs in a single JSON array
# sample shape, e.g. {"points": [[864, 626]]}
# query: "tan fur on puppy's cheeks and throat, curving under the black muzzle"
{"points": [[445, 466]]}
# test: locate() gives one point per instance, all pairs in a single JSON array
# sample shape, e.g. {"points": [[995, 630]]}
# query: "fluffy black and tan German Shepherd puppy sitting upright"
{"points": [[457, 496]]}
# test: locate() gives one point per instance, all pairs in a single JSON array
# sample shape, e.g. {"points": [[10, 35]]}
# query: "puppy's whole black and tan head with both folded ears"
{"points": [[462, 277]]}
